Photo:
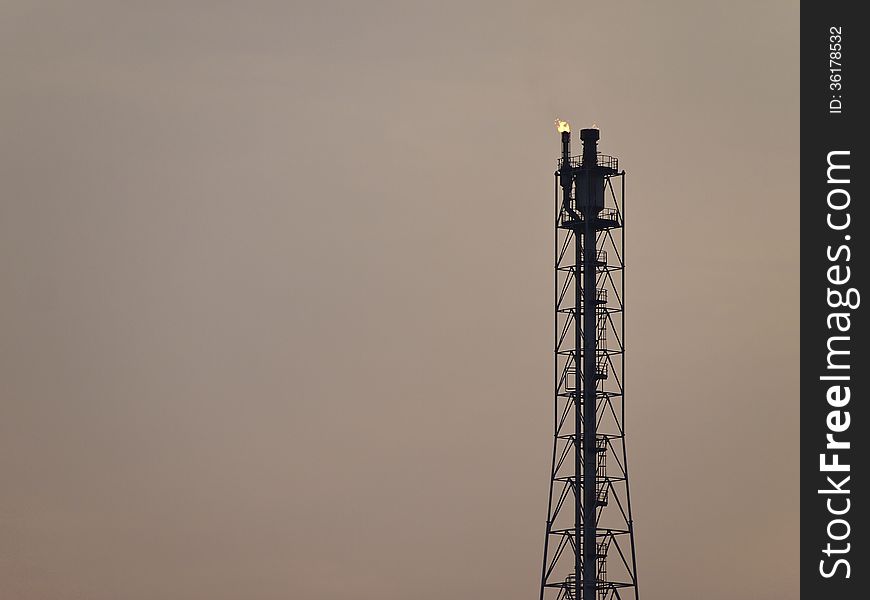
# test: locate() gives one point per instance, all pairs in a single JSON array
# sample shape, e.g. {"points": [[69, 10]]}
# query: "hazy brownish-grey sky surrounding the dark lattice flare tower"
{"points": [[276, 316]]}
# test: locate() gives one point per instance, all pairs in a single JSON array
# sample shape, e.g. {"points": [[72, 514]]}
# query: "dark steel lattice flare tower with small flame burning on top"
{"points": [[589, 544]]}
